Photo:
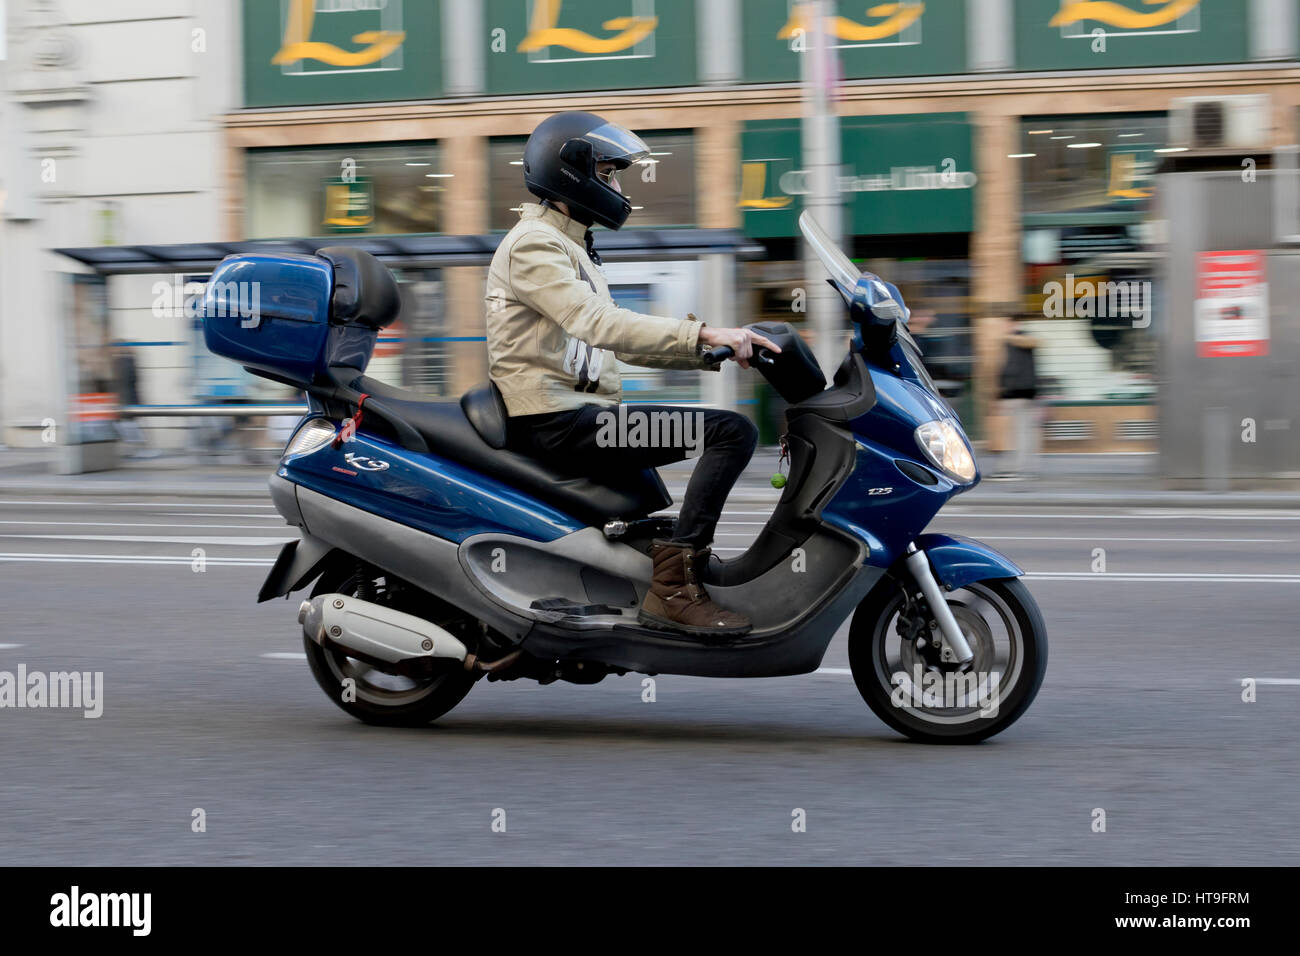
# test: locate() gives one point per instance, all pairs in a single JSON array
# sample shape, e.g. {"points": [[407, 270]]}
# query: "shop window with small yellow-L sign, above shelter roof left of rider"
{"points": [[345, 189]]}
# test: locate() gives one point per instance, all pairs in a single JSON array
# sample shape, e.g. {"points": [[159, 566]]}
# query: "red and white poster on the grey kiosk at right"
{"points": [[1232, 304]]}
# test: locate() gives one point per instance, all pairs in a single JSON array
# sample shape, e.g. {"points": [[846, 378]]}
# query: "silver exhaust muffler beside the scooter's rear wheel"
{"points": [[393, 642]]}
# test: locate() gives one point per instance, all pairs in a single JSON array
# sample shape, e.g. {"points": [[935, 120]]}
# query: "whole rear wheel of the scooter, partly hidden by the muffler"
{"points": [[370, 694]]}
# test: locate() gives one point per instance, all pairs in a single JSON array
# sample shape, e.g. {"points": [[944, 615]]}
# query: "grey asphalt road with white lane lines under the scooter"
{"points": [[209, 704]]}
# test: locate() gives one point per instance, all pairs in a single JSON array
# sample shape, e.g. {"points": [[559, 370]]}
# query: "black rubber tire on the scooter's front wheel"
{"points": [[895, 703]]}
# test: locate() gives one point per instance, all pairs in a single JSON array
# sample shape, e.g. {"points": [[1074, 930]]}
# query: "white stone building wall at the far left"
{"points": [[133, 118]]}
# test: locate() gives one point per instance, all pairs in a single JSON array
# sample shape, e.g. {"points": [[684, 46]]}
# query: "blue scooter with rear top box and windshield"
{"points": [[440, 557]]}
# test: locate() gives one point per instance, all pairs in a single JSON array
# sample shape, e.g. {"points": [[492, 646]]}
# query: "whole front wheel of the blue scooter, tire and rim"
{"points": [[902, 672]]}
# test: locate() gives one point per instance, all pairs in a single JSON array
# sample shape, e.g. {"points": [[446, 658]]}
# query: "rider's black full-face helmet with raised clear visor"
{"points": [[561, 159]]}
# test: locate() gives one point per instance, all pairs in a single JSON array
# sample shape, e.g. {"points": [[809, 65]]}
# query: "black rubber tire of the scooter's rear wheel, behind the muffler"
{"points": [[380, 699]]}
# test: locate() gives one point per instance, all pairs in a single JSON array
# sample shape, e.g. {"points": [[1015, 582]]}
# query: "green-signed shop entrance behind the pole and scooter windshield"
{"points": [[909, 209]]}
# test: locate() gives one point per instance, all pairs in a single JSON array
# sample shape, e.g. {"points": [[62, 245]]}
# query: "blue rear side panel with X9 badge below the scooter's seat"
{"points": [[423, 491]]}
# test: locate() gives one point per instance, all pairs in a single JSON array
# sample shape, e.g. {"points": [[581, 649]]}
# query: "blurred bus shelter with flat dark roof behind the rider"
{"points": [[428, 351]]}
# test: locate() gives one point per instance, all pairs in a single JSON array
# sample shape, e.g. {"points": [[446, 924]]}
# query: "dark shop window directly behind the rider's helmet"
{"points": [[662, 188]]}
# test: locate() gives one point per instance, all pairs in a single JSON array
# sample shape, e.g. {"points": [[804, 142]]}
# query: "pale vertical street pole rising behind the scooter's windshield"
{"points": [[821, 126]]}
